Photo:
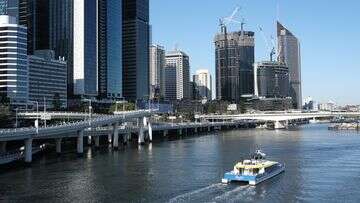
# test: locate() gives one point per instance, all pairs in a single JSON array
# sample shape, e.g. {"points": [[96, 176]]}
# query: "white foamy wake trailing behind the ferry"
{"points": [[217, 193]]}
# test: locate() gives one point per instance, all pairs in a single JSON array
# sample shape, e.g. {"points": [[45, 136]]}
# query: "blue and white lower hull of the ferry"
{"points": [[252, 180]]}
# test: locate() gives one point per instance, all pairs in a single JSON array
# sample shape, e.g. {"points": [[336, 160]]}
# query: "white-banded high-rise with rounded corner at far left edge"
{"points": [[14, 81]]}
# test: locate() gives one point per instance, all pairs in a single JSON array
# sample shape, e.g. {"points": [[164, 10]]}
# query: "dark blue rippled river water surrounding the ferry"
{"points": [[321, 166]]}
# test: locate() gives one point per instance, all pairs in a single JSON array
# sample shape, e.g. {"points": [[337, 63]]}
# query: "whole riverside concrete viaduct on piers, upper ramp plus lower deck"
{"points": [[113, 126]]}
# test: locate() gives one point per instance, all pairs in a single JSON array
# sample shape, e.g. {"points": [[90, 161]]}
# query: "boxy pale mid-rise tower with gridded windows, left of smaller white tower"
{"points": [[179, 61]]}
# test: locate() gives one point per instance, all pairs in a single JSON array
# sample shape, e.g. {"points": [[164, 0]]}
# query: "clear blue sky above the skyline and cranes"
{"points": [[329, 31]]}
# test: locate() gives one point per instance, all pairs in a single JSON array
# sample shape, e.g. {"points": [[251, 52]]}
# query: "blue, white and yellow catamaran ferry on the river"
{"points": [[254, 170]]}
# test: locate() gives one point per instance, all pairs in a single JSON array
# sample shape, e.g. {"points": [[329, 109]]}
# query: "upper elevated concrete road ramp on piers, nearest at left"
{"points": [[60, 131]]}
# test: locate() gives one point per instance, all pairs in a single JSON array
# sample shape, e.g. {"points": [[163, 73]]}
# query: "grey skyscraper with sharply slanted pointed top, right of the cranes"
{"points": [[289, 53]]}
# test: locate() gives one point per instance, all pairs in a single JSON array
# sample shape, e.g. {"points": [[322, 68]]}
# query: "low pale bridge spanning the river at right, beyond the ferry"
{"points": [[280, 119]]}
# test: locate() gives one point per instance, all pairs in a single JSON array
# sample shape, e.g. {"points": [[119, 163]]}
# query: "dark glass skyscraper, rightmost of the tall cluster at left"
{"points": [[136, 49]]}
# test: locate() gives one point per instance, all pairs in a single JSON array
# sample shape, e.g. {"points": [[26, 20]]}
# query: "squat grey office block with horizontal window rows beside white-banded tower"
{"points": [[47, 79]]}
